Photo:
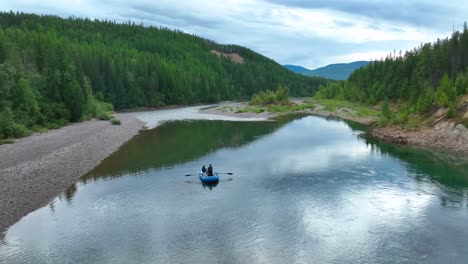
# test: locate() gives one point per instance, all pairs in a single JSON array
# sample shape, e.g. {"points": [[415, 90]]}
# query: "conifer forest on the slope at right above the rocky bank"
{"points": [[429, 77]]}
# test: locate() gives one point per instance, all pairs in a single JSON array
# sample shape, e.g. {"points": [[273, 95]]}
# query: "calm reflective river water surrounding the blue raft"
{"points": [[304, 190]]}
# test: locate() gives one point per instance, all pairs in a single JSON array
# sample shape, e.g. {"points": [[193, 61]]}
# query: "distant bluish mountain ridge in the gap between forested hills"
{"points": [[337, 71]]}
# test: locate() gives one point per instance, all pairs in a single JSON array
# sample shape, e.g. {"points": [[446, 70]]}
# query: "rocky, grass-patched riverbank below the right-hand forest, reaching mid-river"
{"points": [[445, 135]]}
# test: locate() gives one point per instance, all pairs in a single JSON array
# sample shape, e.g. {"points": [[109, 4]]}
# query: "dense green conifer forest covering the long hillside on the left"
{"points": [[54, 71]]}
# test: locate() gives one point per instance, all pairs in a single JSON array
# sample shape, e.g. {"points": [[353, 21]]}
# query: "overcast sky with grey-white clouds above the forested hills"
{"points": [[310, 33]]}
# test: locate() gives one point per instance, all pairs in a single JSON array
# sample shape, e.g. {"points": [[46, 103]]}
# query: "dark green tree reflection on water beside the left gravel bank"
{"points": [[178, 142]]}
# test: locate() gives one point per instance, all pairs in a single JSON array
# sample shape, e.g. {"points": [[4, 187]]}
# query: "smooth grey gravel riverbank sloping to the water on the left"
{"points": [[37, 168]]}
